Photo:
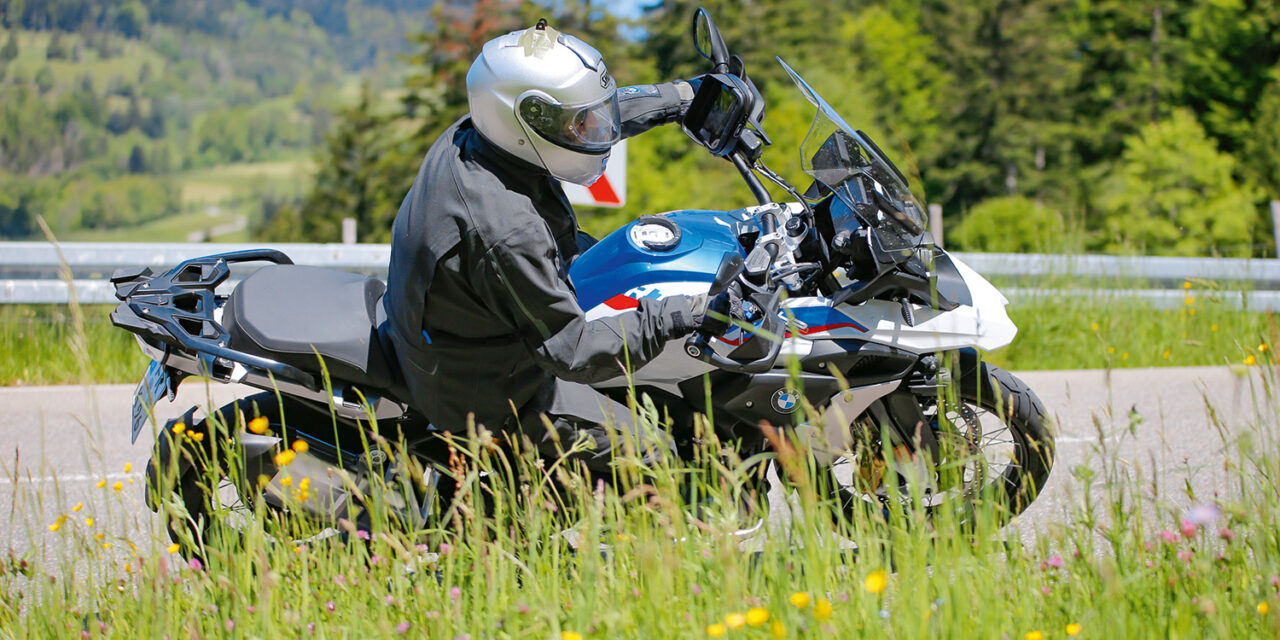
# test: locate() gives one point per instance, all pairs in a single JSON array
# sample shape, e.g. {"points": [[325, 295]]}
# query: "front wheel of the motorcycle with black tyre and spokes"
{"points": [[995, 452]]}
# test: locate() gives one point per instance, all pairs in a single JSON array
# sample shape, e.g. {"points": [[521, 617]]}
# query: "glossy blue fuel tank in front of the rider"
{"points": [[620, 263]]}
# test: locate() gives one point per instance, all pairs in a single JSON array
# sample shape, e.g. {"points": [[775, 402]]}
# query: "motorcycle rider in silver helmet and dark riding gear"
{"points": [[479, 301]]}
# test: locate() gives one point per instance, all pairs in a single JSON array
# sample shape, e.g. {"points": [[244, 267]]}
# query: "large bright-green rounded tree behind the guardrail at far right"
{"points": [[1174, 193]]}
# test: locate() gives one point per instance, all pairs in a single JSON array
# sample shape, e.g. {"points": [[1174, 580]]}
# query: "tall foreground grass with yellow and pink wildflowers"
{"points": [[639, 565]]}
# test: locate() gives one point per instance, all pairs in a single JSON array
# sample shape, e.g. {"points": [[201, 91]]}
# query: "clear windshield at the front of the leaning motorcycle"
{"points": [[848, 163]]}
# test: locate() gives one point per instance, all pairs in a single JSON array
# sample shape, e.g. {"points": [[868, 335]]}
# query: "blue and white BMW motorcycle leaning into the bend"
{"points": [[857, 336]]}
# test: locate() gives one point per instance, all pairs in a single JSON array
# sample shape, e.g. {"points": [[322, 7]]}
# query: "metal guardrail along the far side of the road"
{"points": [[30, 272]]}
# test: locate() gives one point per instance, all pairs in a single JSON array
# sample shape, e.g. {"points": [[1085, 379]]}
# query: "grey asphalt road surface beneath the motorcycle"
{"points": [[58, 444]]}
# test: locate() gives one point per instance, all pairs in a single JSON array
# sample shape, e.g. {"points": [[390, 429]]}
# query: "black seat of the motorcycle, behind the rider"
{"points": [[290, 313]]}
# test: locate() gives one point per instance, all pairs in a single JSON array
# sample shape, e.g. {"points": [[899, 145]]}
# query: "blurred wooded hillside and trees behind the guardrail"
{"points": [[1086, 126]]}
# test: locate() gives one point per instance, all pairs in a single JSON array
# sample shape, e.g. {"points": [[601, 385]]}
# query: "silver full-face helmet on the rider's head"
{"points": [[546, 98]]}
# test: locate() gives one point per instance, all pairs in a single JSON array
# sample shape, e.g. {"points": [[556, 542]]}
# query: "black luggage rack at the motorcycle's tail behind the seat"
{"points": [[176, 310]]}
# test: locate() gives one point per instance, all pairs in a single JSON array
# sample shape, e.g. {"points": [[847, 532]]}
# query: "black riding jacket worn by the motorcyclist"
{"points": [[479, 298]]}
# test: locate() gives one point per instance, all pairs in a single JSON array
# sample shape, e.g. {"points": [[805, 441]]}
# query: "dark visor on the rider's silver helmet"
{"points": [[592, 129]]}
